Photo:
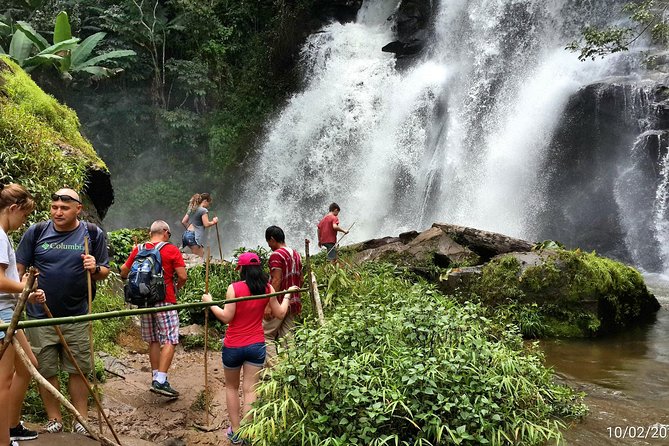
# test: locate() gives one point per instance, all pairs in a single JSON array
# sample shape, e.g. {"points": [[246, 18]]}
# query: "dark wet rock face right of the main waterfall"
{"points": [[604, 168]]}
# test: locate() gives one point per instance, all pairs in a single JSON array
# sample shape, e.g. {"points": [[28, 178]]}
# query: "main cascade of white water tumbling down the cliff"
{"points": [[459, 136]]}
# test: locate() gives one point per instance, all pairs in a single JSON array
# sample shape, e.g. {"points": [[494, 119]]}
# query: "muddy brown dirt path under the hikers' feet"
{"points": [[137, 412]]}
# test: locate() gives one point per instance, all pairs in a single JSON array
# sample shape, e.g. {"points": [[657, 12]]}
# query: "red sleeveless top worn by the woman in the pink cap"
{"points": [[245, 328]]}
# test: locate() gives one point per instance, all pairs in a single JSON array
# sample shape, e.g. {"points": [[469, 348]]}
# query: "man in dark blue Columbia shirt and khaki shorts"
{"points": [[56, 249]]}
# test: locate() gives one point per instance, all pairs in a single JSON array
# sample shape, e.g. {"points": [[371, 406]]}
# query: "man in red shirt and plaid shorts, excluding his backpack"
{"points": [[161, 330]]}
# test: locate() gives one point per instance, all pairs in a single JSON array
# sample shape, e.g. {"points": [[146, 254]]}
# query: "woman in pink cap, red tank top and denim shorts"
{"points": [[244, 341]]}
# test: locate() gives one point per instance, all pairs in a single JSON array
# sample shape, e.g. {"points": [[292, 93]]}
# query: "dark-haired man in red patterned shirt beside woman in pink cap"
{"points": [[285, 268]]}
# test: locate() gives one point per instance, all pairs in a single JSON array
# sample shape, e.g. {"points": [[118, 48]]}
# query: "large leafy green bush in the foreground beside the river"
{"points": [[399, 363]]}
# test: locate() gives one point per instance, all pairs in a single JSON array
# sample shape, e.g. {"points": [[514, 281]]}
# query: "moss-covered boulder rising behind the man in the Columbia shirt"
{"points": [[41, 146]]}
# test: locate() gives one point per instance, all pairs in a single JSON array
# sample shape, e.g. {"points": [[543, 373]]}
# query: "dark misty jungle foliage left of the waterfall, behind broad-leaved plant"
{"points": [[203, 81]]}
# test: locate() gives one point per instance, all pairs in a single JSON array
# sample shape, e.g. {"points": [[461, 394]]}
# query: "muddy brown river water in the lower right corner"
{"points": [[626, 378]]}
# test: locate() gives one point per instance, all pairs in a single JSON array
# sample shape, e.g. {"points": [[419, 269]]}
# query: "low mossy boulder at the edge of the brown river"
{"points": [[571, 294]]}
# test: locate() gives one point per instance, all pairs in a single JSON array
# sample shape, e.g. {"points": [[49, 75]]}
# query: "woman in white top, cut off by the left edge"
{"points": [[15, 206]]}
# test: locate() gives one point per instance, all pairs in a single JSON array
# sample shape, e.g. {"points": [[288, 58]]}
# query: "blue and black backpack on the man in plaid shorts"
{"points": [[146, 285]]}
